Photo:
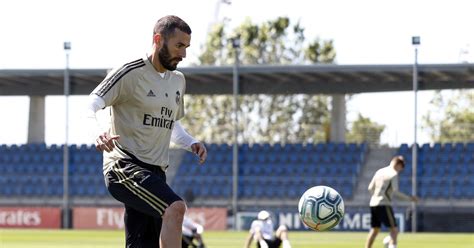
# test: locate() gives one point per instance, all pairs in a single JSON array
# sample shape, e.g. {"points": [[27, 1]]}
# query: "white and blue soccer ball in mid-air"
{"points": [[321, 208]]}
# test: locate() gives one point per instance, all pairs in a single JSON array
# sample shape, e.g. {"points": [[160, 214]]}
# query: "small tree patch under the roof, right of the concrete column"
{"points": [[365, 130]]}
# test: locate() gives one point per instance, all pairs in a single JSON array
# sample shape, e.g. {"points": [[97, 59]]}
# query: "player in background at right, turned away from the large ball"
{"points": [[383, 186]]}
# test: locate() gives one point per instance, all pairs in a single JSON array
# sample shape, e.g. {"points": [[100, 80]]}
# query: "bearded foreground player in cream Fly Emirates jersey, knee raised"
{"points": [[146, 103]]}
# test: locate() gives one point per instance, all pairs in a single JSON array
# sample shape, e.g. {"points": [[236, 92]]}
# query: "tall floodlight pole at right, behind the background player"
{"points": [[415, 43]]}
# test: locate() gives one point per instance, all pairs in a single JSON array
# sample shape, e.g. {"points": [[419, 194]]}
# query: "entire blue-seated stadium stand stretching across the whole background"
{"points": [[265, 171]]}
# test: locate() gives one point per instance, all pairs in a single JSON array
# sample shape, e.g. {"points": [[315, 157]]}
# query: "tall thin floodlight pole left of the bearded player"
{"points": [[66, 201]]}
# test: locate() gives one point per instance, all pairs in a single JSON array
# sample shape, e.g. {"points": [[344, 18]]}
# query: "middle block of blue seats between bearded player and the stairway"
{"points": [[269, 171]]}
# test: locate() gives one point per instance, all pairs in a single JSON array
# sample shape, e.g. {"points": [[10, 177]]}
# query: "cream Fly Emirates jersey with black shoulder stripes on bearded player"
{"points": [[143, 108]]}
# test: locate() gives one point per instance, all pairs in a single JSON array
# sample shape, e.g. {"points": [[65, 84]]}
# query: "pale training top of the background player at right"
{"points": [[383, 186]]}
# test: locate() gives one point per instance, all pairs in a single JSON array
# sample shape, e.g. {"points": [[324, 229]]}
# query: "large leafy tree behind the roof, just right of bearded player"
{"points": [[262, 118]]}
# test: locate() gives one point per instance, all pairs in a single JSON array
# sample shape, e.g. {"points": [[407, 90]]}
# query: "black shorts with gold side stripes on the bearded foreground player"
{"points": [[143, 190]]}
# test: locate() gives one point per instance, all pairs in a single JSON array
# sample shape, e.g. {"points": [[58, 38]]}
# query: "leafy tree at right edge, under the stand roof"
{"points": [[452, 119]]}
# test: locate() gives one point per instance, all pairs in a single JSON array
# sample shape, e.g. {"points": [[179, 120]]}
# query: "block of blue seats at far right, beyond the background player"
{"points": [[443, 171]]}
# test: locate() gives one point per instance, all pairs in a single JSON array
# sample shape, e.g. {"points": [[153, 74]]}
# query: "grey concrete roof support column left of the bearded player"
{"points": [[36, 120]]}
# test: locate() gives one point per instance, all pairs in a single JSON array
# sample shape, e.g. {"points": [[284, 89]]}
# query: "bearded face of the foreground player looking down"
{"points": [[174, 50]]}
